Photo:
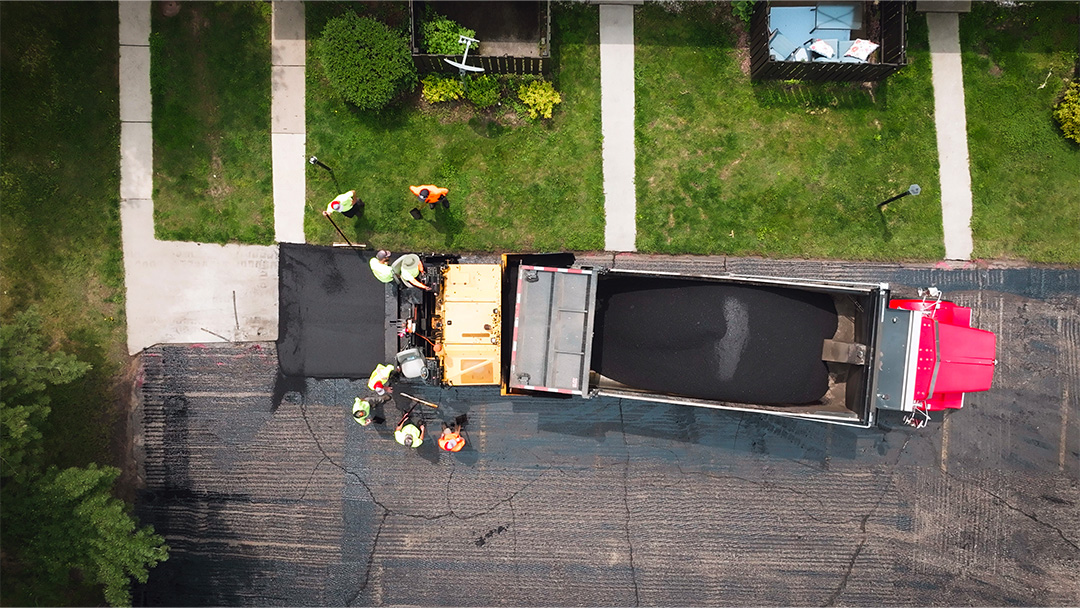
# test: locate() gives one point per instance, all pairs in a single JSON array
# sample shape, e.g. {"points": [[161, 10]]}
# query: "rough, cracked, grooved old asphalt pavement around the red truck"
{"points": [[617, 503]]}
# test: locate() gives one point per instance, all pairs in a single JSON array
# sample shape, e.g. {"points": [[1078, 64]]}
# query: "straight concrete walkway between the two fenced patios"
{"points": [[617, 116]]}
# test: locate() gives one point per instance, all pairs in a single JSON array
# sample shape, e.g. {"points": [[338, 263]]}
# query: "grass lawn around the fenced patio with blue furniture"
{"points": [[776, 169]]}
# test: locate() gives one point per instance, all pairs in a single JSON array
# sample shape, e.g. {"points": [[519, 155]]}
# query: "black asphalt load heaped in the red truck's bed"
{"points": [[712, 341]]}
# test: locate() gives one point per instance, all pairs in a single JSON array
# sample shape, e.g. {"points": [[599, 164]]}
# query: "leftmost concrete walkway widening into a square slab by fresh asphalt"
{"points": [[178, 292]]}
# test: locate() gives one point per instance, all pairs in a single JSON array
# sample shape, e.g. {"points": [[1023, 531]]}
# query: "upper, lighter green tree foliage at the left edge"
{"points": [[29, 371]]}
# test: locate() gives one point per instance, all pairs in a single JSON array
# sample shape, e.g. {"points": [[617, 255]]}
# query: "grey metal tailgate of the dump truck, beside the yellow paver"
{"points": [[553, 330]]}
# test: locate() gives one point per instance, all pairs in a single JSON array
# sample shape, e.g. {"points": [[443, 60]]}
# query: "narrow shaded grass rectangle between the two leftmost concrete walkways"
{"points": [[211, 87]]}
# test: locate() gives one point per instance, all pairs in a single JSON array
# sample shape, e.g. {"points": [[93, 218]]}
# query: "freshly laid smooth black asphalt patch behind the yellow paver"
{"points": [[332, 316]]}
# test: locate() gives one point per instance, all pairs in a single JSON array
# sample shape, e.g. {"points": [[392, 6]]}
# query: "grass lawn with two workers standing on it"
{"points": [[526, 187]]}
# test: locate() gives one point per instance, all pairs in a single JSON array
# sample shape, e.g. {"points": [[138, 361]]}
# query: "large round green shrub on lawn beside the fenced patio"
{"points": [[366, 62]]}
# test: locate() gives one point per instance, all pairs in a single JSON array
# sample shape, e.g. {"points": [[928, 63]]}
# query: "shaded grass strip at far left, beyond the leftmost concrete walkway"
{"points": [[60, 217]]}
